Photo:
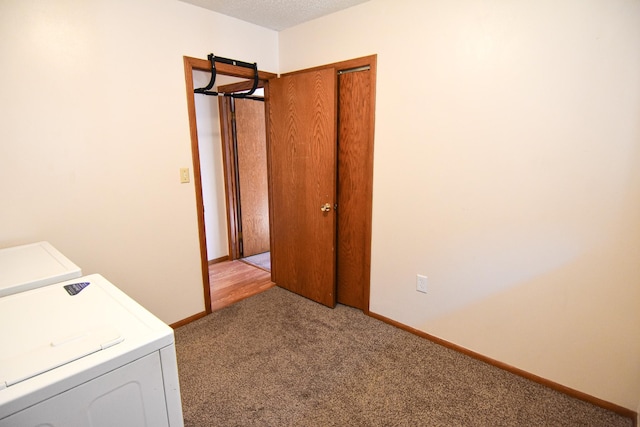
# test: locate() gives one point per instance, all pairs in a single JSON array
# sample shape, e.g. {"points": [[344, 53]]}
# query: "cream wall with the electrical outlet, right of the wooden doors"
{"points": [[507, 169]]}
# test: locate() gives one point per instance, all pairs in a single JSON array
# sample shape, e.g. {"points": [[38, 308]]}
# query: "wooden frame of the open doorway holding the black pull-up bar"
{"points": [[191, 64]]}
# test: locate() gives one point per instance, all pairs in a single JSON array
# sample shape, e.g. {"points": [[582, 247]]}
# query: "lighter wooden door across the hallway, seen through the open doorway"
{"points": [[252, 176]]}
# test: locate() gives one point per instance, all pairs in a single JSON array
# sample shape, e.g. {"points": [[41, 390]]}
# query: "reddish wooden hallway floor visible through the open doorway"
{"points": [[232, 281]]}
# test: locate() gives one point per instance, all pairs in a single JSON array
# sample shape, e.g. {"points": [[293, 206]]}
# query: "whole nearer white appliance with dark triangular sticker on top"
{"points": [[82, 353]]}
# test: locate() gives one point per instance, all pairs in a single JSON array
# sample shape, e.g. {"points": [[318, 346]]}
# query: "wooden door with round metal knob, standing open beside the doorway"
{"points": [[302, 114]]}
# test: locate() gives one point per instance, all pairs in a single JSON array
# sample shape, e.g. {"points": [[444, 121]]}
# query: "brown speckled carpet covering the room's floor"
{"points": [[277, 359]]}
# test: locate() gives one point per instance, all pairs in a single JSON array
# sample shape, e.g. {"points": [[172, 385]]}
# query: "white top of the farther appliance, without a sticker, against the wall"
{"points": [[30, 266]]}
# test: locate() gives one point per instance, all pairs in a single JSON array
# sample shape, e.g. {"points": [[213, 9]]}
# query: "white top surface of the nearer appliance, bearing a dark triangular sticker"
{"points": [[57, 336]]}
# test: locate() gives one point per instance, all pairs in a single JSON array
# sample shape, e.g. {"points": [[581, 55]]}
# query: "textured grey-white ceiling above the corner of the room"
{"points": [[275, 14]]}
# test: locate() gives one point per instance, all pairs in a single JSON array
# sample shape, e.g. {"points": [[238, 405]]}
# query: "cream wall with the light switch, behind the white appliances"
{"points": [[94, 130]]}
